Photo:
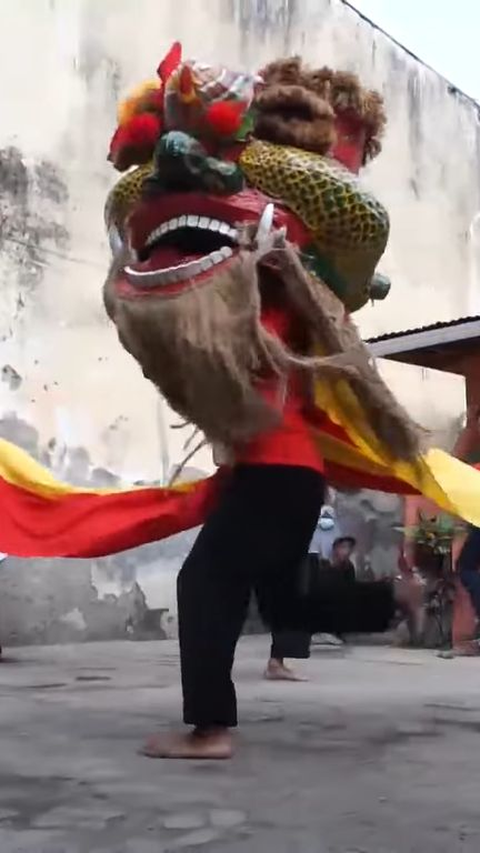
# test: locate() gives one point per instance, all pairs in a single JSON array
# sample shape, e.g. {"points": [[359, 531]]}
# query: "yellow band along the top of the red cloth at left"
{"points": [[19, 469]]}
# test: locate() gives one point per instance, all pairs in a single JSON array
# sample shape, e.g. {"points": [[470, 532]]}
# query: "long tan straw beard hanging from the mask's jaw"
{"points": [[205, 348]]}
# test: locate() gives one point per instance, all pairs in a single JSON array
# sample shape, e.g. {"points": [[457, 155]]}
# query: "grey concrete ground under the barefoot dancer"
{"points": [[378, 753]]}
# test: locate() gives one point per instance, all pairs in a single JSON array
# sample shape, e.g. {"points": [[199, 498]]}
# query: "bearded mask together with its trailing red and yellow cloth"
{"points": [[241, 192]]}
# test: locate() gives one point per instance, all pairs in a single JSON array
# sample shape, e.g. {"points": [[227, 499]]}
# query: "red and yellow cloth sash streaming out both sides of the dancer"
{"points": [[42, 517]]}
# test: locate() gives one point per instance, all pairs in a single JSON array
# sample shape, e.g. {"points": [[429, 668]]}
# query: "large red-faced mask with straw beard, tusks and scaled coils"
{"points": [[238, 190]]}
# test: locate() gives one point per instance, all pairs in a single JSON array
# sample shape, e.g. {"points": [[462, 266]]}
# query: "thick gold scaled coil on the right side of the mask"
{"points": [[349, 226]]}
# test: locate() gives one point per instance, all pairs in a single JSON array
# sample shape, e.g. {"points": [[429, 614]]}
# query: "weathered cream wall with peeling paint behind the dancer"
{"points": [[68, 393]]}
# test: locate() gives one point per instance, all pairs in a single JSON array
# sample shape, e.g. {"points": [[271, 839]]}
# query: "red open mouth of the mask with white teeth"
{"points": [[181, 237]]}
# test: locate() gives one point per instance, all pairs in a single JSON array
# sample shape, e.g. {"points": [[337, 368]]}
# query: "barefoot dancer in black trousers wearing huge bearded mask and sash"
{"points": [[242, 241]]}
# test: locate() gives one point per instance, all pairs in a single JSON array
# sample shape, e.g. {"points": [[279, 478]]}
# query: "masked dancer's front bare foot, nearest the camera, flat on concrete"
{"points": [[214, 744]]}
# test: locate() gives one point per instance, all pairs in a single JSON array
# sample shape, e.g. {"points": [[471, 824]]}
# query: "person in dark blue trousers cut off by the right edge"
{"points": [[467, 448]]}
